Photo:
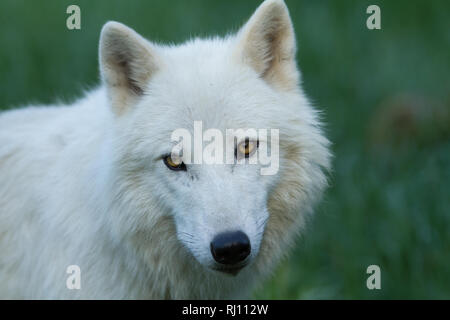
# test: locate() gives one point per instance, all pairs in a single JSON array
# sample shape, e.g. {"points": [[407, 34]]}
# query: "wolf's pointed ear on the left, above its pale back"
{"points": [[127, 61]]}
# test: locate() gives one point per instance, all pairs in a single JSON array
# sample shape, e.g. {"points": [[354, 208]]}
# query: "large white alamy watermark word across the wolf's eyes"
{"points": [[212, 147]]}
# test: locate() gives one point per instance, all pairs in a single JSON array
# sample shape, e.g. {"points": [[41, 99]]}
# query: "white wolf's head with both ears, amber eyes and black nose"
{"points": [[228, 216]]}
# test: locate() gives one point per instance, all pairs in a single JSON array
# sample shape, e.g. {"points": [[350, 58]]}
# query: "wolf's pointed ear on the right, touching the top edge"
{"points": [[267, 43]]}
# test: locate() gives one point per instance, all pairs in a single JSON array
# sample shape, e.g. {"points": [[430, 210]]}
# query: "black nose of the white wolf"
{"points": [[230, 247]]}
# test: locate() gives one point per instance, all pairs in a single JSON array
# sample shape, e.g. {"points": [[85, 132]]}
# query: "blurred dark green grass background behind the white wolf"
{"points": [[388, 203]]}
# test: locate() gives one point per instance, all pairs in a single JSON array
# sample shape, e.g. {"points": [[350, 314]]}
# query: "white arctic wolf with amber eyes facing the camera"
{"points": [[91, 184]]}
